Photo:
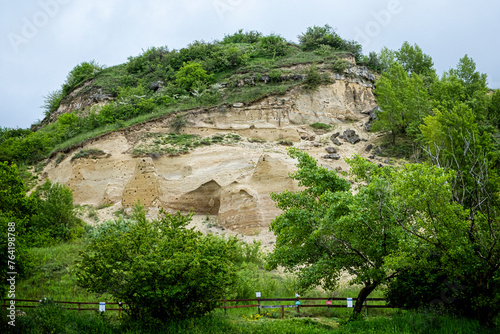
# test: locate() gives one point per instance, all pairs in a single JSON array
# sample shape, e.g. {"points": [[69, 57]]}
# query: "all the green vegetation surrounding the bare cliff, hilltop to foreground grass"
{"points": [[424, 234]]}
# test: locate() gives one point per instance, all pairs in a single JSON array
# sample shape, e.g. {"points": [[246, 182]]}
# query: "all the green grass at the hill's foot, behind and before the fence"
{"points": [[54, 278]]}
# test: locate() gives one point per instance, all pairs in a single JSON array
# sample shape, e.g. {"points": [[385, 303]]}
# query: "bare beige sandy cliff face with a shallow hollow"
{"points": [[230, 181]]}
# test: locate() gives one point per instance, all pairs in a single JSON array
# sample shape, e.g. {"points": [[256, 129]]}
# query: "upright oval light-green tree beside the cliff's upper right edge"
{"points": [[403, 99]]}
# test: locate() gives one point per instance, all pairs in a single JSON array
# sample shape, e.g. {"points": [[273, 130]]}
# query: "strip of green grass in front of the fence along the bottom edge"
{"points": [[50, 319]]}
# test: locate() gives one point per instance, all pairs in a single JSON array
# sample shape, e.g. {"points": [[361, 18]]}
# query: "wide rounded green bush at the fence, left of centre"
{"points": [[162, 269]]}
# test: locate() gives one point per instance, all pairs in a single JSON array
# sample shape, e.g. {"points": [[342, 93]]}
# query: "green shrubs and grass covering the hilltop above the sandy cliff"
{"points": [[242, 67]]}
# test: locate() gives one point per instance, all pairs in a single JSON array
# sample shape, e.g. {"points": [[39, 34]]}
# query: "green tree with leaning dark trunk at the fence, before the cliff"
{"points": [[327, 229]]}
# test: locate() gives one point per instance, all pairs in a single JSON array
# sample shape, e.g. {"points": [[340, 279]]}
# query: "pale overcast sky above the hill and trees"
{"points": [[41, 41]]}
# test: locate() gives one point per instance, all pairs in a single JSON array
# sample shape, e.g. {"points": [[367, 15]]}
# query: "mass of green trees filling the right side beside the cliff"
{"points": [[418, 228]]}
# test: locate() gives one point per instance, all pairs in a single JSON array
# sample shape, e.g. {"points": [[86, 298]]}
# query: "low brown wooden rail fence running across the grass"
{"points": [[328, 302]]}
